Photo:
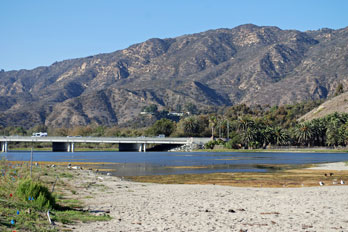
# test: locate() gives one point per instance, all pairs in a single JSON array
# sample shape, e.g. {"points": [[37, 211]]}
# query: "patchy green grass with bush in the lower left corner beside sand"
{"points": [[15, 187]]}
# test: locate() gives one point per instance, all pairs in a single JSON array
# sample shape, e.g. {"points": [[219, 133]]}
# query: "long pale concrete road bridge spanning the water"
{"points": [[125, 144]]}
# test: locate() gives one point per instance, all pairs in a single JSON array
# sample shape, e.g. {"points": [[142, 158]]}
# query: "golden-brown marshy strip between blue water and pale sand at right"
{"points": [[286, 178]]}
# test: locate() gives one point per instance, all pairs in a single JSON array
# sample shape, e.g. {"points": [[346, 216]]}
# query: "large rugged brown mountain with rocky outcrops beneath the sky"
{"points": [[247, 64]]}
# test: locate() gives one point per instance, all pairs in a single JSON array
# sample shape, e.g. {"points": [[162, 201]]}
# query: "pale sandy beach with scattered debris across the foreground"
{"points": [[155, 207]]}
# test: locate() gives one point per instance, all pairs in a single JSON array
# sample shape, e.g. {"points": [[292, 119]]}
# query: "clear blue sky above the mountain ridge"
{"points": [[39, 32]]}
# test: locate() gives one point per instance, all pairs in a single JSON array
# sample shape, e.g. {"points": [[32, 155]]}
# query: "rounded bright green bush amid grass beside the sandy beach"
{"points": [[43, 199]]}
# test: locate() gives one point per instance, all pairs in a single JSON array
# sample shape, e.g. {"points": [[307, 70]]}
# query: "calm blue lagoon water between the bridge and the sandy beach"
{"points": [[162, 163]]}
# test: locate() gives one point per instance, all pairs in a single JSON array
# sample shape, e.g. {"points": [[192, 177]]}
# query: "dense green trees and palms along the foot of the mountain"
{"points": [[235, 127]]}
